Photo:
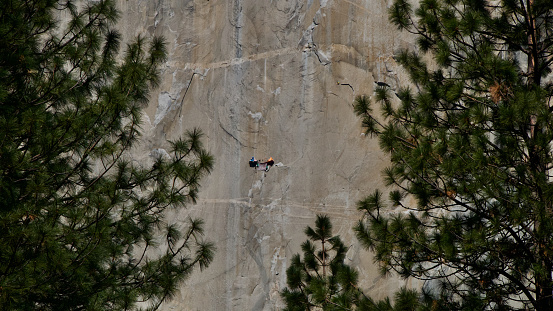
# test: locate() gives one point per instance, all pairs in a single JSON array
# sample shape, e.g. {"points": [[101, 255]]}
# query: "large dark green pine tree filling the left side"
{"points": [[82, 225]]}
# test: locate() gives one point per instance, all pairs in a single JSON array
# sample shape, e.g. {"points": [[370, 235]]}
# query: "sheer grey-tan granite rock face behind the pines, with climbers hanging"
{"points": [[269, 78]]}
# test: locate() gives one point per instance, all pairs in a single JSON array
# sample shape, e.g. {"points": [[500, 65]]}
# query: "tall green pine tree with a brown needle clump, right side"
{"points": [[470, 150]]}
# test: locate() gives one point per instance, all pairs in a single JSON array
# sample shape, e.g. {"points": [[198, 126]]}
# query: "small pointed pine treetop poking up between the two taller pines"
{"points": [[323, 281]]}
